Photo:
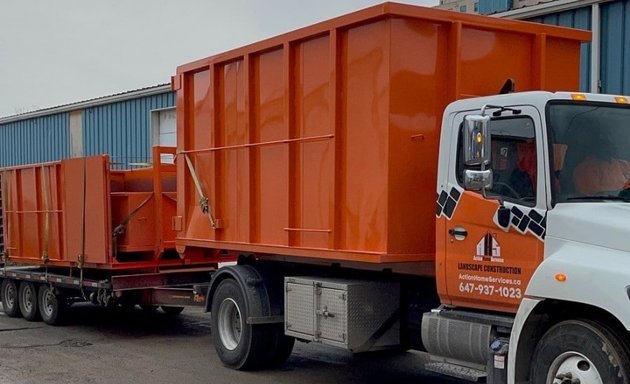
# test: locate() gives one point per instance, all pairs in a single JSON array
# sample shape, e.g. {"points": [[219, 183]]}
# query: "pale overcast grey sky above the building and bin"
{"points": [[64, 51]]}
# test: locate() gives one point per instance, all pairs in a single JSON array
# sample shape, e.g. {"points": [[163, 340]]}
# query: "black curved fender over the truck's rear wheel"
{"points": [[261, 307]]}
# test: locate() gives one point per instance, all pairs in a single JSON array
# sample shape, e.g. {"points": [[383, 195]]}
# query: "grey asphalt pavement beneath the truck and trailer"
{"points": [[120, 346]]}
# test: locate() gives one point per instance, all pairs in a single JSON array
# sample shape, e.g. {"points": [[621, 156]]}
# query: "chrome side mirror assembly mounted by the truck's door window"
{"points": [[477, 147]]}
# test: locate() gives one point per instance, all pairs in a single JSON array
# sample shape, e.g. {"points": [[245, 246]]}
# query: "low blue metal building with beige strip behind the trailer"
{"points": [[124, 125]]}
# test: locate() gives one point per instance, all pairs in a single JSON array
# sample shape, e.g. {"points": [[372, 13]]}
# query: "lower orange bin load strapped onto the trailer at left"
{"points": [[78, 212]]}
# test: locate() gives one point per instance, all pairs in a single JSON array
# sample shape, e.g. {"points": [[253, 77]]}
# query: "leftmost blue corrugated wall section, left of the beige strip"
{"points": [[35, 140]]}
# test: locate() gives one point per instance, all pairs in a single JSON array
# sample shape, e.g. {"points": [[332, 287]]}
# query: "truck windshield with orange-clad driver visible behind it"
{"points": [[590, 151]]}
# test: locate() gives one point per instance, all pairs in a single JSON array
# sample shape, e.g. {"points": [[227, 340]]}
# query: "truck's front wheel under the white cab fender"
{"points": [[583, 349]]}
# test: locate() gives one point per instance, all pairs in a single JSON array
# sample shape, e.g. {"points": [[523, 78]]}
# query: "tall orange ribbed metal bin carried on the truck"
{"points": [[323, 142]]}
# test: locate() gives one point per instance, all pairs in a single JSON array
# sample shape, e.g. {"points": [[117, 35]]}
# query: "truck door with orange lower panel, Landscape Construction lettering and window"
{"points": [[484, 262]]}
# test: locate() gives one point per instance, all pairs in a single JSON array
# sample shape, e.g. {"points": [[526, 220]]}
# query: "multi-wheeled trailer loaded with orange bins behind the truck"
{"points": [[76, 230]]}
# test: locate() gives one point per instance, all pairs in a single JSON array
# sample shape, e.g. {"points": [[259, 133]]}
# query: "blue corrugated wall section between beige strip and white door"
{"points": [[123, 129]]}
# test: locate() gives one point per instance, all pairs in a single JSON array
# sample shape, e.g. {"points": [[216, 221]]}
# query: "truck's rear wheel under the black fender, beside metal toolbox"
{"points": [[238, 344]]}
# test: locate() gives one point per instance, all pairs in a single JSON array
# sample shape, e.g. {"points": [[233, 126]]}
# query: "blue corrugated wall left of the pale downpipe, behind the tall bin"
{"points": [[575, 18]]}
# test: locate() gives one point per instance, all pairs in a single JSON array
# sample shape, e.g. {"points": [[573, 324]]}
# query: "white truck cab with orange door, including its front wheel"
{"points": [[535, 187]]}
